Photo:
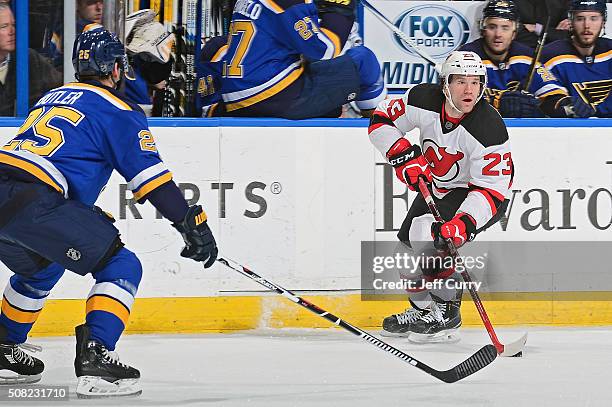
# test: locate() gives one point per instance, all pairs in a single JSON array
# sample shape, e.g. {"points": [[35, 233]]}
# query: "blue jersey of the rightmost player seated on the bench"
{"points": [[589, 78]]}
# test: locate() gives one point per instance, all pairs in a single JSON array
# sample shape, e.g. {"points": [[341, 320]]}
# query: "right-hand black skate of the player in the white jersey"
{"points": [[439, 324]]}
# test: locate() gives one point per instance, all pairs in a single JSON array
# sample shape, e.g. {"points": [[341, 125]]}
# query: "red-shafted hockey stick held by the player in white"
{"points": [[511, 349]]}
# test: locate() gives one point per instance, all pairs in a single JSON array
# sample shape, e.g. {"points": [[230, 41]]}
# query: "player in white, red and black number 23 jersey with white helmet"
{"points": [[465, 153]]}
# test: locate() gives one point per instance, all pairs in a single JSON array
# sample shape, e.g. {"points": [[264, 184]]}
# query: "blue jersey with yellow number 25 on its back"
{"points": [[76, 135]]}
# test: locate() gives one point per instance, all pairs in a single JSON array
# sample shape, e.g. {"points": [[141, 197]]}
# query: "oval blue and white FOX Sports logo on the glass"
{"points": [[438, 30]]}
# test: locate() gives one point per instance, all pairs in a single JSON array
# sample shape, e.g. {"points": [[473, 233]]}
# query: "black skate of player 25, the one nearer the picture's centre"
{"points": [[99, 372]]}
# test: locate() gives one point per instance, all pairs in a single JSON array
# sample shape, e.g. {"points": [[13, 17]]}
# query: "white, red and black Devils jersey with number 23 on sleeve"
{"points": [[473, 153]]}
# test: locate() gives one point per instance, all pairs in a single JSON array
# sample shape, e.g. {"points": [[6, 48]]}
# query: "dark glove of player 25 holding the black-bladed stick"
{"points": [[200, 244]]}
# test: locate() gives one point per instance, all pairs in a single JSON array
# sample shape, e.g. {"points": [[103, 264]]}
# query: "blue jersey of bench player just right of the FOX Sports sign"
{"points": [[511, 75]]}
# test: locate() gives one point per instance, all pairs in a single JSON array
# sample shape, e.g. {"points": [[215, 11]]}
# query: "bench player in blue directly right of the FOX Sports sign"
{"points": [[508, 65]]}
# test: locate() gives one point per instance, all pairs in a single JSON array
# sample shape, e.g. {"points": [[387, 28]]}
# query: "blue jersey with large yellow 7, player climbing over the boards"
{"points": [[267, 42]]}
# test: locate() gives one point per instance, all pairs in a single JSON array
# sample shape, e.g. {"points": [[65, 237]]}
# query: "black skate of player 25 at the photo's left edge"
{"points": [[16, 366]]}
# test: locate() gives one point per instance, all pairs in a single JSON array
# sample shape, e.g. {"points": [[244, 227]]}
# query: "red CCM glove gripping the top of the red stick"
{"points": [[409, 163]]}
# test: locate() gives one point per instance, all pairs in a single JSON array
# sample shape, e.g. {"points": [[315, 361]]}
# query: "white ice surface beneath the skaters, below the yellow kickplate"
{"points": [[329, 367]]}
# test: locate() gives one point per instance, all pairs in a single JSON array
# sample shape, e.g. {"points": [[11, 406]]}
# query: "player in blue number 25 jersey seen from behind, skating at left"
{"points": [[51, 174]]}
